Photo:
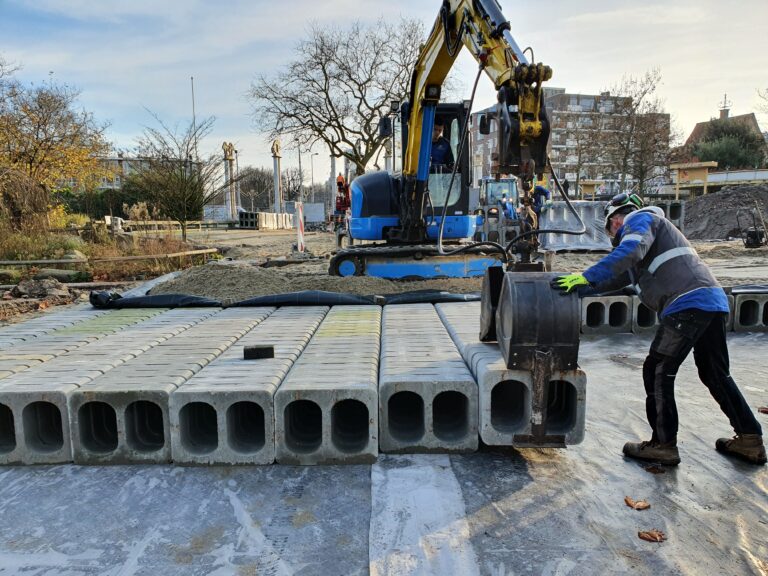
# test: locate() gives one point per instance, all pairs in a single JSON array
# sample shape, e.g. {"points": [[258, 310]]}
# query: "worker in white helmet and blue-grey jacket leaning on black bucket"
{"points": [[671, 279]]}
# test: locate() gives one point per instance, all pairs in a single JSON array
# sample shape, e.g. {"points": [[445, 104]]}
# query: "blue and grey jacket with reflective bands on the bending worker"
{"points": [[665, 270]]}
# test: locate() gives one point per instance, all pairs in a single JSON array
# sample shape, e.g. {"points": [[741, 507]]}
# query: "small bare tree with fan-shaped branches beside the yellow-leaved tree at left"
{"points": [[172, 174]]}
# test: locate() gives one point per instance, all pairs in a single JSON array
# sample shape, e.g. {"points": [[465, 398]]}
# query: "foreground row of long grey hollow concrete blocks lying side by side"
{"points": [[342, 385]]}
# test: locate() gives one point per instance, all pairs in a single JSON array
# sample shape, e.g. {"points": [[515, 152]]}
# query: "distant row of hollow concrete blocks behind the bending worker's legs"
{"points": [[617, 314]]}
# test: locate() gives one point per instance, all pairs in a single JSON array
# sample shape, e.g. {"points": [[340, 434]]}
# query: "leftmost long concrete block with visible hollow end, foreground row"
{"points": [[43, 386]]}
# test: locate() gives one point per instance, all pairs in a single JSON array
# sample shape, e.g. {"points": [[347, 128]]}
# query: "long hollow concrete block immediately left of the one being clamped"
{"points": [[427, 395]]}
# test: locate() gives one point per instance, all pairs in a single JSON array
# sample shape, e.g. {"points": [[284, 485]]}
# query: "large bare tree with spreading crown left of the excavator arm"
{"points": [[338, 87]]}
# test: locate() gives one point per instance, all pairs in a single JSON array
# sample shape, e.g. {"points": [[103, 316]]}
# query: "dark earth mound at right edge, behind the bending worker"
{"points": [[713, 216]]}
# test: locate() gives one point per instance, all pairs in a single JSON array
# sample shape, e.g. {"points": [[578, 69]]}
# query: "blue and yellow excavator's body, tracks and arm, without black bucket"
{"points": [[420, 220]]}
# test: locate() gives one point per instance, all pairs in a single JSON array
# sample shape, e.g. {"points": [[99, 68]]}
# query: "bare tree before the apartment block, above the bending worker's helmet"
{"points": [[636, 141]]}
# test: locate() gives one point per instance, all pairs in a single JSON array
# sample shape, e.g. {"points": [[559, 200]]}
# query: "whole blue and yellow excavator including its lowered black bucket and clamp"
{"points": [[423, 214]]}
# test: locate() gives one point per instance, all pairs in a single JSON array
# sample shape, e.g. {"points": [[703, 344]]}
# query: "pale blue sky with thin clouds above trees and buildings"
{"points": [[130, 56]]}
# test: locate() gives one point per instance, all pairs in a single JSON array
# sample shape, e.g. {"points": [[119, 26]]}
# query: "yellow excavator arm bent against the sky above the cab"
{"points": [[481, 27]]}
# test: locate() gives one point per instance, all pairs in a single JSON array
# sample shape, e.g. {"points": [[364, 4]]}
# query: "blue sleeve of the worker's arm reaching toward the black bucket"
{"points": [[637, 236]]}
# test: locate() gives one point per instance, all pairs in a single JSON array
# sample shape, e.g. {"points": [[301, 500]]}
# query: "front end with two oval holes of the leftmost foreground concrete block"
{"points": [[34, 428]]}
